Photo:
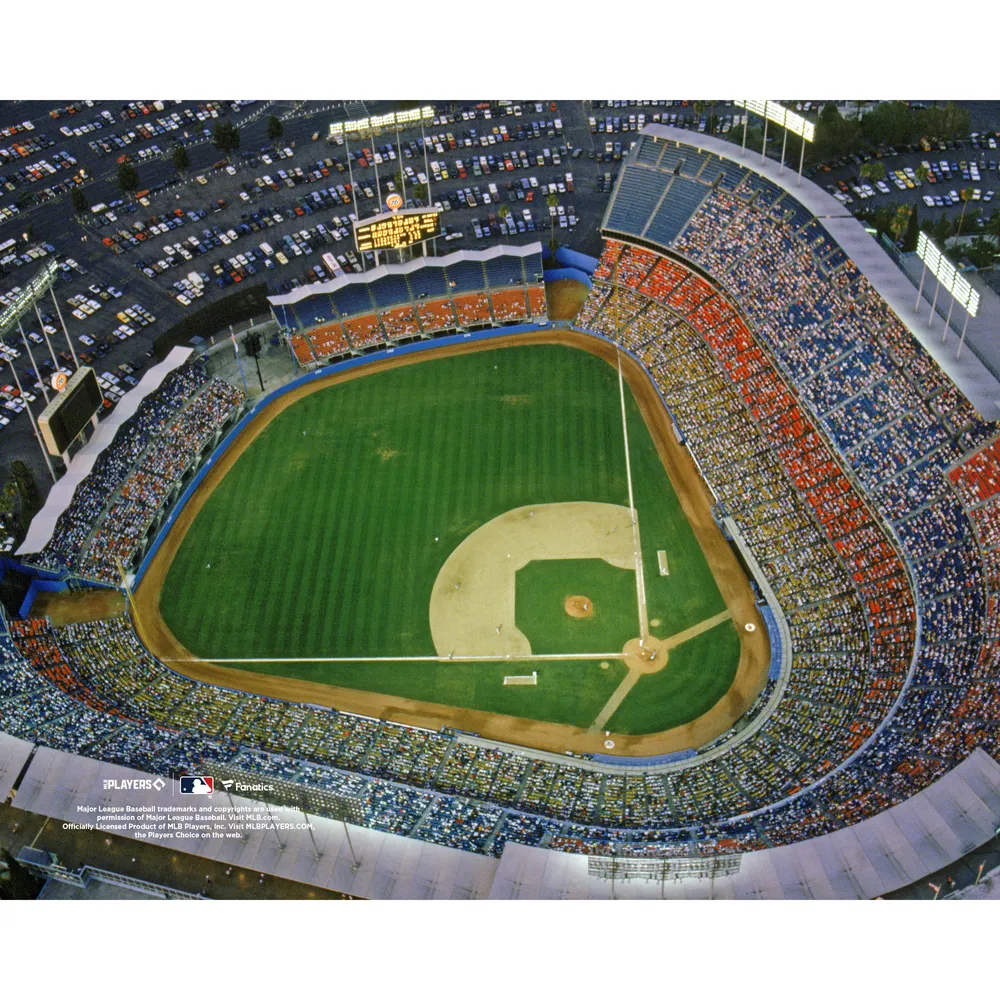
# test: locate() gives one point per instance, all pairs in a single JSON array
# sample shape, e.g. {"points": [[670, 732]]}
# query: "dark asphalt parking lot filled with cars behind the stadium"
{"points": [[279, 211]]}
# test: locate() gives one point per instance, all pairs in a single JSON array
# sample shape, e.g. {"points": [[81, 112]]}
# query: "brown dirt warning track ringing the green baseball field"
{"points": [[751, 672]]}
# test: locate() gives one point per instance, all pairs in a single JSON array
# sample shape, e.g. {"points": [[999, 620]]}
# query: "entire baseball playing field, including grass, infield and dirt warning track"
{"points": [[452, 538]]}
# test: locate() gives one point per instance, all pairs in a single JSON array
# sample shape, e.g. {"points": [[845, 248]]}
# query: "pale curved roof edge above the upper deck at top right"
{"points": [[975, 378]]}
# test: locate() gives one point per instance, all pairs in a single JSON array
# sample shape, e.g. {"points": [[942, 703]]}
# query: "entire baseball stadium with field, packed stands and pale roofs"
{"points": [[676, 562]]}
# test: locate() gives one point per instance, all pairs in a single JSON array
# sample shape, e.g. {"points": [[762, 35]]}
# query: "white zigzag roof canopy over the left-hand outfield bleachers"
{"points": [[43, 524]]}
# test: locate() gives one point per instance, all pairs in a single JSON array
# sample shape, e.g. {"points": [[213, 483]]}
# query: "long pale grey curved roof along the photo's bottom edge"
{"points": [[948, 819]]}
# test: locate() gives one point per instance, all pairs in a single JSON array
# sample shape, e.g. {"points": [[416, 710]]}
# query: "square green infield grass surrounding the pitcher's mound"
{"points": [[543, 585]]}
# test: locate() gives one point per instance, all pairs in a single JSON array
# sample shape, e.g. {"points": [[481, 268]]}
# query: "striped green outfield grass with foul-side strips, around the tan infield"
{"points": [[320, 541]]}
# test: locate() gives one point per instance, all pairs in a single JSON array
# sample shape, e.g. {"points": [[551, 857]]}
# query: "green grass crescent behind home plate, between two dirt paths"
{"points": [[698, 673]]}
